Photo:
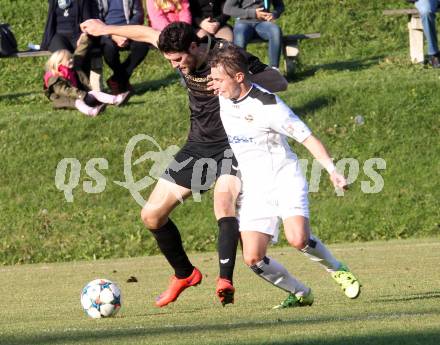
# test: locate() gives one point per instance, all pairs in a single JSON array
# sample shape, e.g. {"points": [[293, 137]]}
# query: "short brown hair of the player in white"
{"points": [[231, 58]]}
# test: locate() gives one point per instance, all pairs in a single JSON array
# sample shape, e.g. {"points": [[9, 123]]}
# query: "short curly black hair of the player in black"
{"points": [[177, 37]]}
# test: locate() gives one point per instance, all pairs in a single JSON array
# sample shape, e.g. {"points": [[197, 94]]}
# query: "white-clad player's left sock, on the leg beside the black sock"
{"points": [[276, 274]]}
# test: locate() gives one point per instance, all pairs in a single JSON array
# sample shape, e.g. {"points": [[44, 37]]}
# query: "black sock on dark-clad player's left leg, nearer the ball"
{"points": [[170, 244]]}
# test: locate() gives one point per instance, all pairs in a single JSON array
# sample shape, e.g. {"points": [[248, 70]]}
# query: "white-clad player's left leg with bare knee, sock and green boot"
{"points": [[254, 254]]}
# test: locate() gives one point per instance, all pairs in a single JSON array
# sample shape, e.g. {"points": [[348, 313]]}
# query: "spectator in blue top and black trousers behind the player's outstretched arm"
{"points": [[122, 12]]}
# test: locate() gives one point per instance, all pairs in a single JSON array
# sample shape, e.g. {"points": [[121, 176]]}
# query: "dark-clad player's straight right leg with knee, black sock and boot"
{"points": [[226, 192]]}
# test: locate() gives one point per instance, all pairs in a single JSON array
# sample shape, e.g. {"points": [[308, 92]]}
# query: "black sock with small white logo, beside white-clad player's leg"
{"points": [[227, 245]]}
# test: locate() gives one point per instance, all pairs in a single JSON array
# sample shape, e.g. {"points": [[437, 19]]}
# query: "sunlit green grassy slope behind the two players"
{"points": [[358, 67]]}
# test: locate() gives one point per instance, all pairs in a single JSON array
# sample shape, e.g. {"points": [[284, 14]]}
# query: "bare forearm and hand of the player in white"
{"points": [[320, 153]]}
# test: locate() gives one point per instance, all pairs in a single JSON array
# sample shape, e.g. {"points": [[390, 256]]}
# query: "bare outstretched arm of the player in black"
{"points": [[140, 33]]}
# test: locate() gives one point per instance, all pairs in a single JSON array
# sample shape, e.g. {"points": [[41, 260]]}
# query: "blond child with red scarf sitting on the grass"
{"points": [[67, 86]]}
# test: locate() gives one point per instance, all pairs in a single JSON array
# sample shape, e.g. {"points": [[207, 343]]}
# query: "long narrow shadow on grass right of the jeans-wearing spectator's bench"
{"points": [[349, 65]]}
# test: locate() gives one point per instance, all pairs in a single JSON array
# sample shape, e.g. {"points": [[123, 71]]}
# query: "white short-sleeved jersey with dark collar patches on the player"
{"points": [[257, 126]]}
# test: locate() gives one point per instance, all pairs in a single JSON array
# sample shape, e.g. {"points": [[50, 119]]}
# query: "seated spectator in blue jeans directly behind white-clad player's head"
{"points": [[255, 19]]}
